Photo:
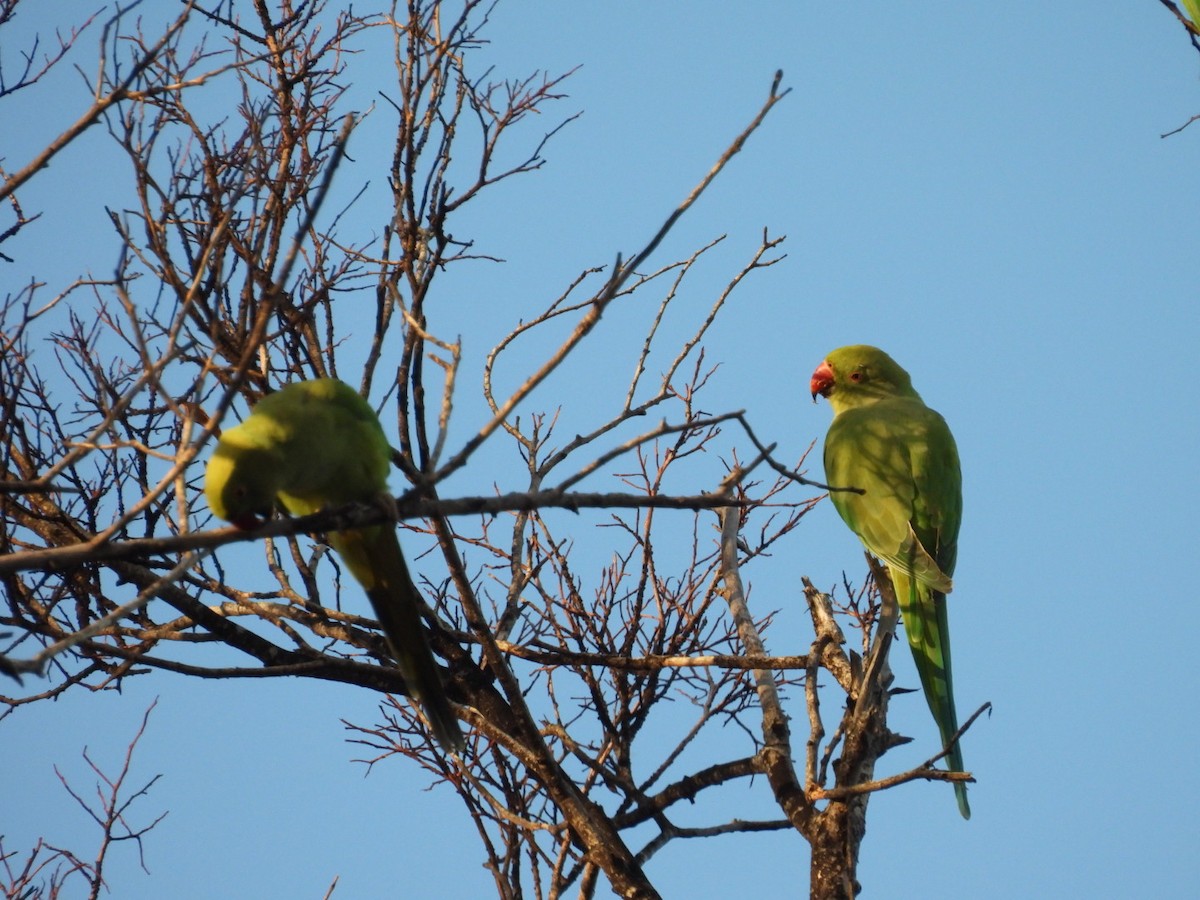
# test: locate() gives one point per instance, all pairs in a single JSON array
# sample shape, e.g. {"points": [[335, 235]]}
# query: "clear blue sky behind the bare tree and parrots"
{"points": [[982, 190]]}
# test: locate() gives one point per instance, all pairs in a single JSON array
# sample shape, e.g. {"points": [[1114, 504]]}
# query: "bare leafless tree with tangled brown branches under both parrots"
{"points": [[247, 259]]}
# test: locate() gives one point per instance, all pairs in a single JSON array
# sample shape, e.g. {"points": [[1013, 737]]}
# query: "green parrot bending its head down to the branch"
{"points": [[314, 446]]}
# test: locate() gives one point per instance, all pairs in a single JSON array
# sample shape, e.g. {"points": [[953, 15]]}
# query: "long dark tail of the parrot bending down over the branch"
{"points": [[375, 559]]}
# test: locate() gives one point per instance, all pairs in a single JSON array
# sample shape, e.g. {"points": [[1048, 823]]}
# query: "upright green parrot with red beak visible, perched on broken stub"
{"points": [[885, 441]]}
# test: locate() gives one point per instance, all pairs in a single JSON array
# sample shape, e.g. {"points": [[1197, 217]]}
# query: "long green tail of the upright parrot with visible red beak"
{"points": [[927, 626]]}
